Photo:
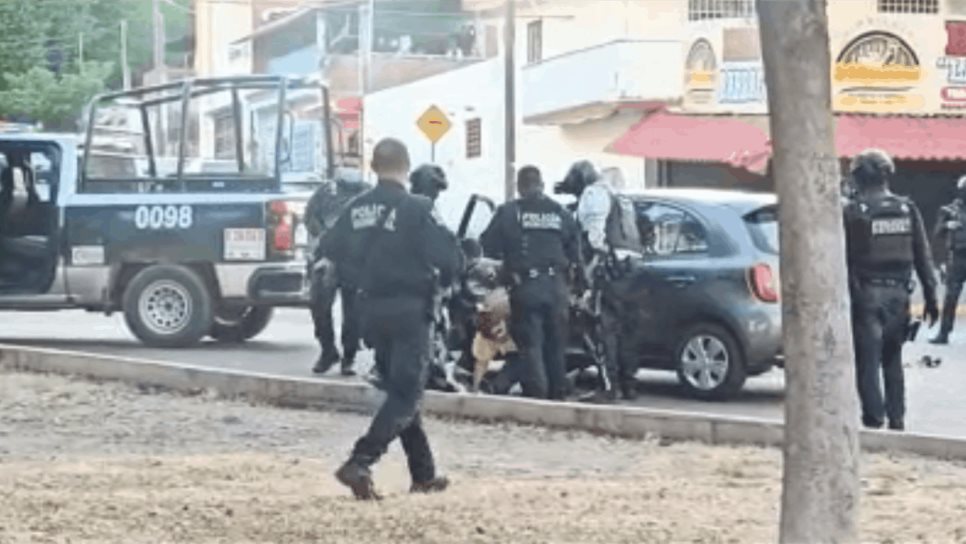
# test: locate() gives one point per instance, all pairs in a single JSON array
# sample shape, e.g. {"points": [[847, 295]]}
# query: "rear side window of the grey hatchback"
{"points": [[667, 231]]}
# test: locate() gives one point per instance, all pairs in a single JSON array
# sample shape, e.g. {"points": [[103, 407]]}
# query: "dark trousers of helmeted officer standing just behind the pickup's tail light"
{"points": [[322, 300]]}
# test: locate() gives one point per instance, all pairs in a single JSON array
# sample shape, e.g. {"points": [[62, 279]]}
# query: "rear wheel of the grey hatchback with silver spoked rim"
{"points": [[709, 362]]}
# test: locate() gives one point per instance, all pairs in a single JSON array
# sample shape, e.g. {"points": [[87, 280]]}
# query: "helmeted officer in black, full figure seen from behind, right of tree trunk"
{"points": [[886, 240]]}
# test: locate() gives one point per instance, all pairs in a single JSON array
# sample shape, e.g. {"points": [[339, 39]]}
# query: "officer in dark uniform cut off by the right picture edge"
{"points": [[951, 225]]}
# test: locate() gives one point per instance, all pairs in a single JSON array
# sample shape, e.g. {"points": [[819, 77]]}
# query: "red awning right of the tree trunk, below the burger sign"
{"points": [[910, 138]]}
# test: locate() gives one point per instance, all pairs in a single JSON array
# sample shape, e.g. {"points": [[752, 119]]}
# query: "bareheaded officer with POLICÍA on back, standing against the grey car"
{"points": [[538, 241]]}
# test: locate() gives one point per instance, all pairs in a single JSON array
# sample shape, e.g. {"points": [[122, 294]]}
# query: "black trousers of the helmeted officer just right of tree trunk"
{"points": [[880, 323]]}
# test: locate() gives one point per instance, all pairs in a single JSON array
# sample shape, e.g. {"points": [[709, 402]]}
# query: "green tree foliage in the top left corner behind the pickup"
{"points": [[40, 66]]}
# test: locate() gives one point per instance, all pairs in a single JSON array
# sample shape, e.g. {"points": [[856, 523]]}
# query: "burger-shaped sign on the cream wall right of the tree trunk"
{"points": [[878, 72]]}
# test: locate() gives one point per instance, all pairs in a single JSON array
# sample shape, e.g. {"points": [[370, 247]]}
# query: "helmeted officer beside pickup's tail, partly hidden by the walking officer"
{"points": [[321, 213]]}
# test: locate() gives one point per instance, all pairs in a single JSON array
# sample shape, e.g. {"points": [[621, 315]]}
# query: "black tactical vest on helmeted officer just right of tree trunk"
{"points": [[887, 232]]}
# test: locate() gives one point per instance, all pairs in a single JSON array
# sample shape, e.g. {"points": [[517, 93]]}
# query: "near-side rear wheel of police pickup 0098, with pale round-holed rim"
{"points": [[168, 306]]}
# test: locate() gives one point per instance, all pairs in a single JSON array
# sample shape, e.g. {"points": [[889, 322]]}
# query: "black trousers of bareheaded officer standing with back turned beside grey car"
{"points": [[539, 309]]}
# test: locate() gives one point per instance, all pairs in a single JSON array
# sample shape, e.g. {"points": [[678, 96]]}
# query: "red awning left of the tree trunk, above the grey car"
{"points": [[668, 136]]}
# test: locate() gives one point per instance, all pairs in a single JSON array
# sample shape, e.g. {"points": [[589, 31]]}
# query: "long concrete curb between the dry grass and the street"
{"points": [[630, 422]]}
